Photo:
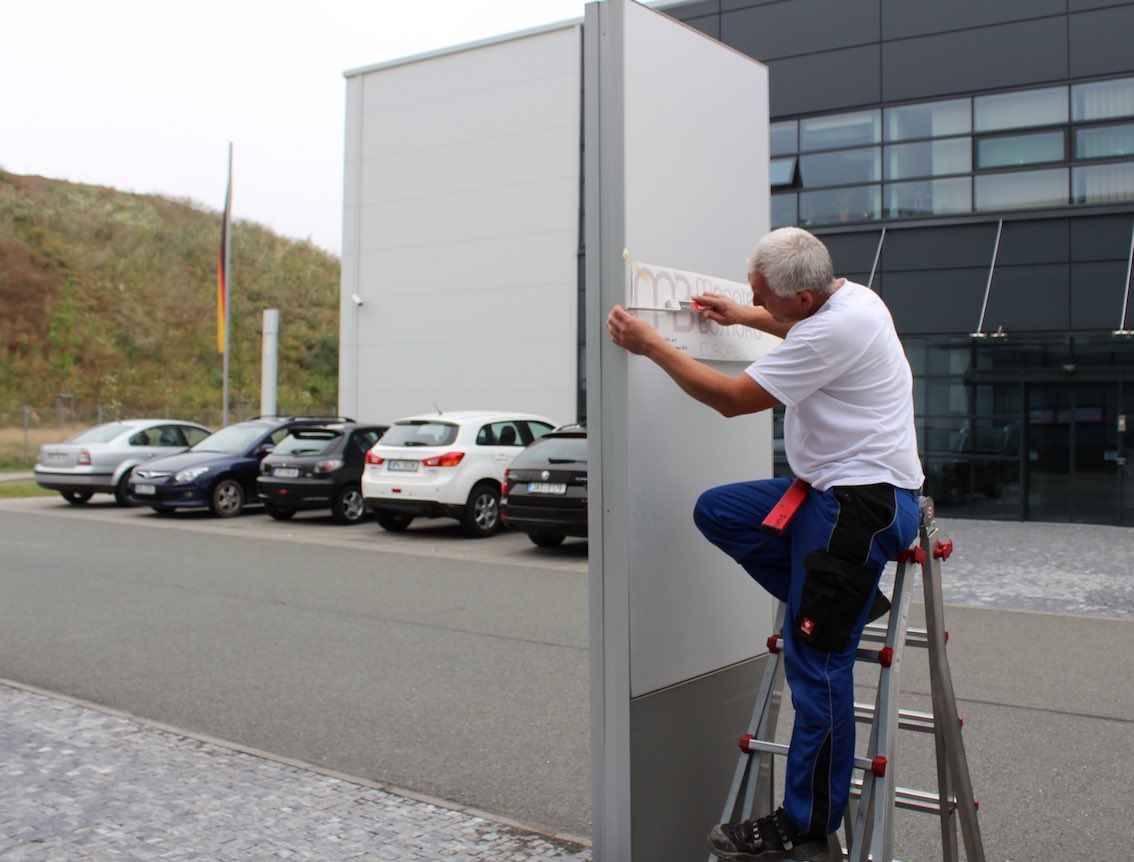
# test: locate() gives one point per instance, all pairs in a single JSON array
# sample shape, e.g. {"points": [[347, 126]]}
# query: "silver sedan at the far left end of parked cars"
{"points": [[100, 460]]}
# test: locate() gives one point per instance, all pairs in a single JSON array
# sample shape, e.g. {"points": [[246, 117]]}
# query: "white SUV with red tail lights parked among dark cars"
{"points": [[446, 466]]}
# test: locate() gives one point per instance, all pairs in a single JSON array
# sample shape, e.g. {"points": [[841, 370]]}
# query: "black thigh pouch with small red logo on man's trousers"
{"points": [[835, 594]]}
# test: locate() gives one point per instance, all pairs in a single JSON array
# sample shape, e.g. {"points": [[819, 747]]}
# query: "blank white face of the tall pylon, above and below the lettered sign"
{"points": [[697, 199]]}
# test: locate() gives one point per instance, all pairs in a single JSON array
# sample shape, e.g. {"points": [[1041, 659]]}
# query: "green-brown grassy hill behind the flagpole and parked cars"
{"points": [[112, 299]]}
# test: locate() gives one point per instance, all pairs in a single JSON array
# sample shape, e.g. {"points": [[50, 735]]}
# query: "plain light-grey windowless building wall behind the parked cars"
{"points": [[461, 231]]}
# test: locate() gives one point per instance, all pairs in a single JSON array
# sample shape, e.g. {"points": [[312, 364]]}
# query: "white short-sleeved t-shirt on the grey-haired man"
{"points": [[849, 391]]}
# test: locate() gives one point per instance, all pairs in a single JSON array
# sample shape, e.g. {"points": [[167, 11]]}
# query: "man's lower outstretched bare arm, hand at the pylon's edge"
{"points": [[729, 396]]}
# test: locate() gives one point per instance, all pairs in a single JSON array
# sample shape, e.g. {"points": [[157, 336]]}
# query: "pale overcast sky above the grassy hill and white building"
{"points": [[146, 96]]}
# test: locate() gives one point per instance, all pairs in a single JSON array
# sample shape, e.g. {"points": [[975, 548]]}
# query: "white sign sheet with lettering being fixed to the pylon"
{"points": [[664, 298]]}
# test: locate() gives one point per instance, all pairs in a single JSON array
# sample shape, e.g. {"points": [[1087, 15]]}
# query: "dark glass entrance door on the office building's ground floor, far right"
{"points": [[1076, 453]]}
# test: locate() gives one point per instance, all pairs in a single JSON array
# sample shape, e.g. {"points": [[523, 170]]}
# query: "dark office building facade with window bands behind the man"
{"points": [[974, 162]]}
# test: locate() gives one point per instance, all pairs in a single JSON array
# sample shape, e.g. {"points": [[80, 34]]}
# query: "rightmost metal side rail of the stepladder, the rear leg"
{"points": [[958, 782]]}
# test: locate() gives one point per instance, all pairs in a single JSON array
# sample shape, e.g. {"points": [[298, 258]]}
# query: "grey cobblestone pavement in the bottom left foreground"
{"points": [[81, 784]]}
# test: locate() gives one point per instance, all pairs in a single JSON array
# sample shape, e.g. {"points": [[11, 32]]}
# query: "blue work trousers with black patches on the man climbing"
{"points": [[858, 529]]}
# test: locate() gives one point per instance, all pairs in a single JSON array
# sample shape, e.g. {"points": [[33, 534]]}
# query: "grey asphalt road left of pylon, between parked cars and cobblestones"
{"points": [[448, 666]]}
